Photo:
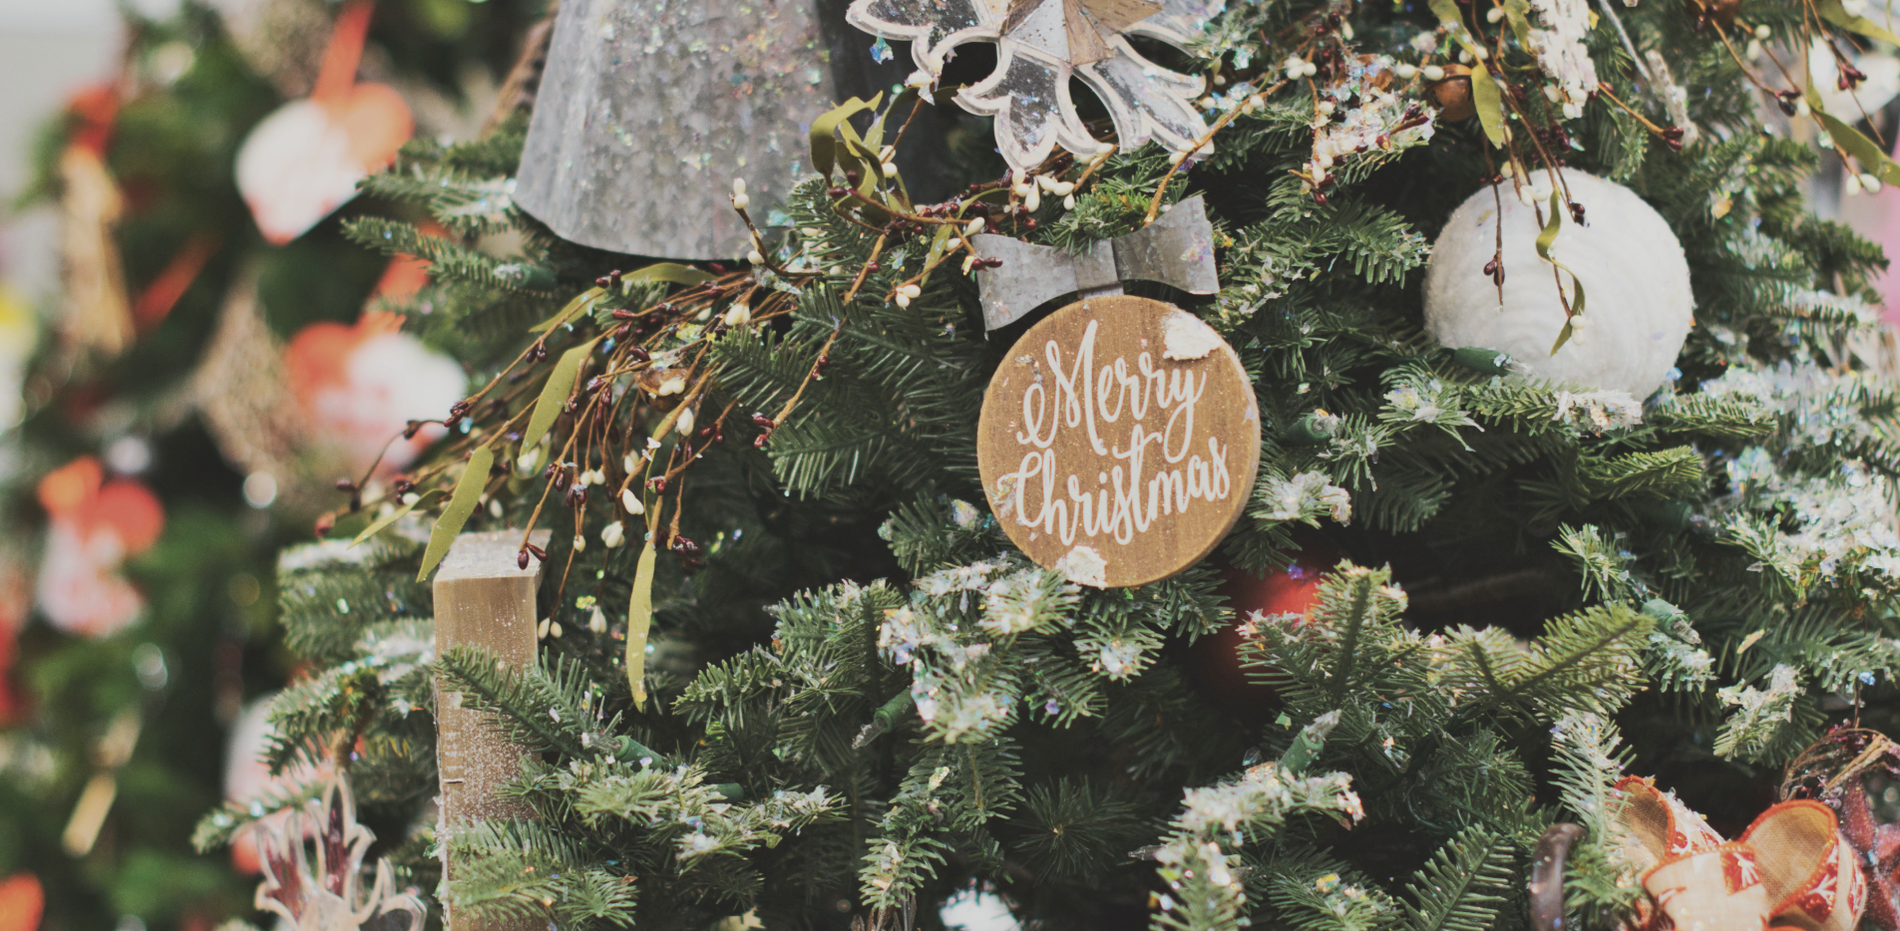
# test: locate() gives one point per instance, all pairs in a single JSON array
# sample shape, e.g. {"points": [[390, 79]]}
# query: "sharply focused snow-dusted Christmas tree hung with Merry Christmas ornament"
{"points": [[808, 658]]}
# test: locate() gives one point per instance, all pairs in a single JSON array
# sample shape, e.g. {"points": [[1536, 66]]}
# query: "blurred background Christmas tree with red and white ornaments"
{"points": [[138, 579]]}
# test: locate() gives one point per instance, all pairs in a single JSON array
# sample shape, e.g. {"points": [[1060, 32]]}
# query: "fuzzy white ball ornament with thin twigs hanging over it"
{"points": [[1637, 286]]}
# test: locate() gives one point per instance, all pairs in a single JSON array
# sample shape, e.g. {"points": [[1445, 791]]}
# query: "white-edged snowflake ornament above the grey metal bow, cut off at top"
{"points": [[1046, 43]]}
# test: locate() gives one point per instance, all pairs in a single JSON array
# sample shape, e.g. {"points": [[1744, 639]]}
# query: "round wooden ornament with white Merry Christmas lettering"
{"points": [[1120, 442]]}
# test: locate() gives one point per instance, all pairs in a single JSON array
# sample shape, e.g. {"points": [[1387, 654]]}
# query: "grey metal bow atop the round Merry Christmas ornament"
{"points": [[1177, 250]]}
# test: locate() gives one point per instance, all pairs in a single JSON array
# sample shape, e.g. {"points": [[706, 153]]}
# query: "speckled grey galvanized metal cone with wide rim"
{"points": [[651, 107]]}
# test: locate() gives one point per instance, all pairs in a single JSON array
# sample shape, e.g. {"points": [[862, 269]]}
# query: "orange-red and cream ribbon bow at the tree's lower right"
{"points": [[1791, 869]]}
